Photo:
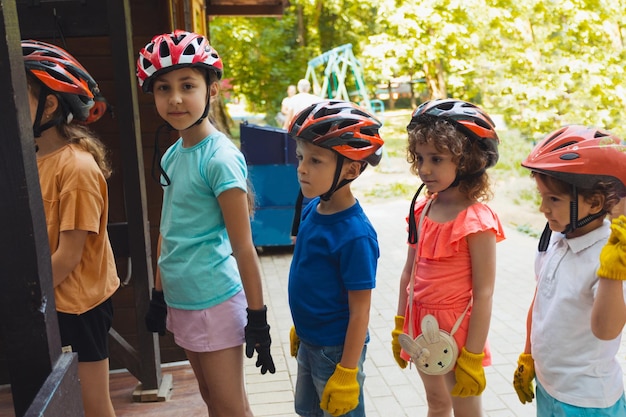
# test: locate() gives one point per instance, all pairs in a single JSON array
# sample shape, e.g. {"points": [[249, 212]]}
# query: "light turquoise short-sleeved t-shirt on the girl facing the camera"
{"points": [[197, 268]]}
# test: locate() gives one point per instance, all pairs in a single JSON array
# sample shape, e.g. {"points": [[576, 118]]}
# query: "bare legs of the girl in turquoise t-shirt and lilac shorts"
{"points": [[220, 379]]}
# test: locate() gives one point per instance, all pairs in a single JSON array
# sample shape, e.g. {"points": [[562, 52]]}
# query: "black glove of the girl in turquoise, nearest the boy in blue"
{"points": [[258, 337]]}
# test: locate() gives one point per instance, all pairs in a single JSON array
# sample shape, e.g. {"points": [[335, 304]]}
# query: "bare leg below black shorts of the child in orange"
{"points": [[94, 385]]}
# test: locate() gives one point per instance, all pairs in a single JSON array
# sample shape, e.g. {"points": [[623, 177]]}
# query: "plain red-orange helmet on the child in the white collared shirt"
{"points": [[581, 156]]}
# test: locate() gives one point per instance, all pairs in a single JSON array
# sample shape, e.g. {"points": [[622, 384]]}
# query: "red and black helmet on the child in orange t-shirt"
{"points": [[61, 73]]}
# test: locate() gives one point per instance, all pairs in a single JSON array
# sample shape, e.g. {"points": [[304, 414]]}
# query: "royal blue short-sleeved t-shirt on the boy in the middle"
{"points": [[334, 254]]}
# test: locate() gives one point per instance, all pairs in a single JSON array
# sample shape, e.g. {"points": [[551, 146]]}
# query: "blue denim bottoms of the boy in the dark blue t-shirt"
{"points": [[316, 365]]}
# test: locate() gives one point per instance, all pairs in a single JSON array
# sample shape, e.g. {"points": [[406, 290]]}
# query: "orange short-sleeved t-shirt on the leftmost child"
{"points": [[75, 197]]}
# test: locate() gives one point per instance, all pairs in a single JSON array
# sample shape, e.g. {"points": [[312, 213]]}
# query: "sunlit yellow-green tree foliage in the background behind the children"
{"points": [[541, 64]]}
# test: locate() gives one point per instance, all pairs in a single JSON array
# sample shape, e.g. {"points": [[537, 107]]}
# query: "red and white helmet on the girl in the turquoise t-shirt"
{"points": [[175, 50]]}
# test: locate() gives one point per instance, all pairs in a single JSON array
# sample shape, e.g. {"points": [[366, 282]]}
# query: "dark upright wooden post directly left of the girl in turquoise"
{"points": [[148, 368]]}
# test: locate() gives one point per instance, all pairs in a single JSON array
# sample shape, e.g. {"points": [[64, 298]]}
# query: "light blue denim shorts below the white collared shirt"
{"points": [[551, 407]]}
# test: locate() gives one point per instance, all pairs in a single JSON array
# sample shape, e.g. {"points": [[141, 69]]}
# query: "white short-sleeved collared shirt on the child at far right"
{"points": [[572, 364]]}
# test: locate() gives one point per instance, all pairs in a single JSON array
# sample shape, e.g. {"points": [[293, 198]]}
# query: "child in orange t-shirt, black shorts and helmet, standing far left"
{"points": [[72, 172]]}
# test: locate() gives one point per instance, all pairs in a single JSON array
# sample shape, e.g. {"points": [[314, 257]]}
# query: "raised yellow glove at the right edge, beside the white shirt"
{"points": [[613, 255]]}
